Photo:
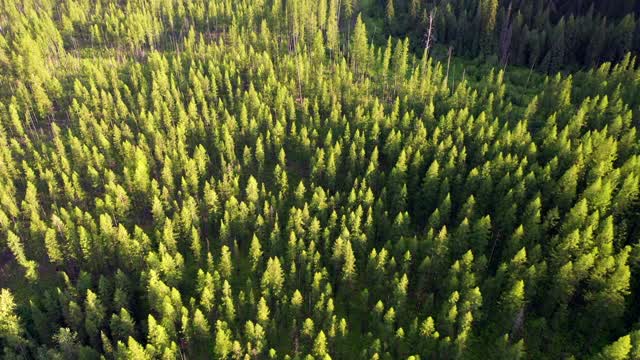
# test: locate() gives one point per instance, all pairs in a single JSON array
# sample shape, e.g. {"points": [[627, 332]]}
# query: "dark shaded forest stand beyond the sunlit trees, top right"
{"points": [[548, 35]]}
